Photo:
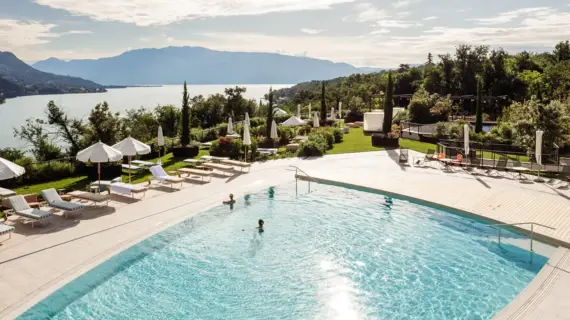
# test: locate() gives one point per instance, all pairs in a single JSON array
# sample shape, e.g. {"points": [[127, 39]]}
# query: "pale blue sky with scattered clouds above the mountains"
{"points": [[375, 33]]}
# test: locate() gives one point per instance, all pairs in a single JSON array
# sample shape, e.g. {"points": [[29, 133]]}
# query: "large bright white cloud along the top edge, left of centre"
{"points": [[162, 12]]}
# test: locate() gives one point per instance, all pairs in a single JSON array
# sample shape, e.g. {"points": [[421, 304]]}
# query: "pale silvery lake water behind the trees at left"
{"points": [[15, 111]]}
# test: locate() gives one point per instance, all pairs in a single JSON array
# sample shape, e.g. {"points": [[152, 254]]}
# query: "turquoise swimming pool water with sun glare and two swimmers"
{"points": [[336, 253]]}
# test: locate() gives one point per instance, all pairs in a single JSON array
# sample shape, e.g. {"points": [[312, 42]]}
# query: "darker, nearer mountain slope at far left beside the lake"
{"points": [[19, 79]]}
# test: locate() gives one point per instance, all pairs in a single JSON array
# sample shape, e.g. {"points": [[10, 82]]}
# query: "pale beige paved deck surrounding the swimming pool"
{"points": [[38, 261]]}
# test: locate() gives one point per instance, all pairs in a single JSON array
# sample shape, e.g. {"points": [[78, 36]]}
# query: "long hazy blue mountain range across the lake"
{"points": [[196, 65]]}
